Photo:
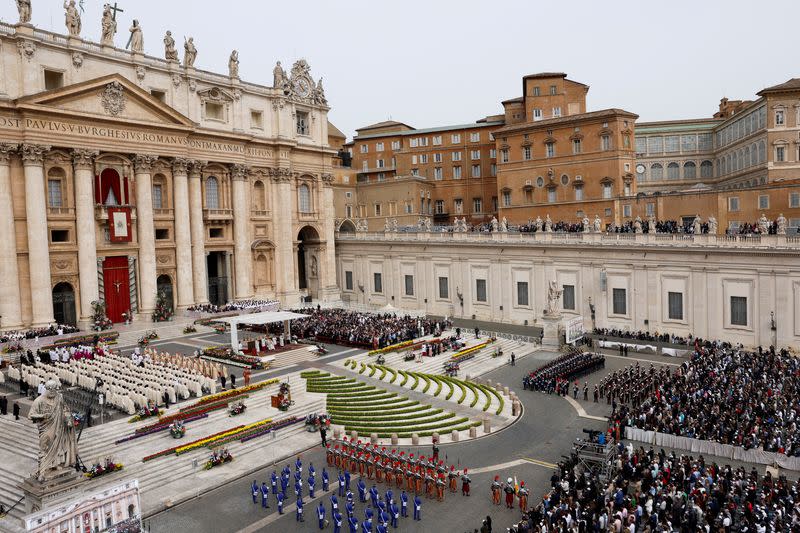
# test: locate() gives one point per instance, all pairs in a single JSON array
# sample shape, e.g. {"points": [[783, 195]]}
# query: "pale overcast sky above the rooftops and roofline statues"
{"points": [[437, 62]]}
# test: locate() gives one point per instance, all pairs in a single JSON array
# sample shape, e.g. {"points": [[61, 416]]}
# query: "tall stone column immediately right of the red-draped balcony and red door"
{"points": [[143, 166]]}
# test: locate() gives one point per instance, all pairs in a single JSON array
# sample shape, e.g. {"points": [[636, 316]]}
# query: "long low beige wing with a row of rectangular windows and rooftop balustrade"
{"points": [[737, 288]]}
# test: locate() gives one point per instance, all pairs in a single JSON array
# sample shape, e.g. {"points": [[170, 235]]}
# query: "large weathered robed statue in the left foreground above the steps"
{"points": [[58, 448]]}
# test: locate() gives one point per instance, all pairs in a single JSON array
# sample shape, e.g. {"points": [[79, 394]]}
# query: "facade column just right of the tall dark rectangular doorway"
{"points": [[241, 233]]}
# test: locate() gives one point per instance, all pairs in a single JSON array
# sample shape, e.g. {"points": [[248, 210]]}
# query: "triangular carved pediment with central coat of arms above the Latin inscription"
{"points": [[111, 96]]}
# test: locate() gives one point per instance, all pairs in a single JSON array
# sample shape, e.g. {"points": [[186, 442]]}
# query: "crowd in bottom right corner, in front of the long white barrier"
{"points": [[659, 492]]}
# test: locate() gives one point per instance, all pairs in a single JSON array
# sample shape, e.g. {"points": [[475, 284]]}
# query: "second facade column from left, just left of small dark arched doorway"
{"points": [[38, 241]]}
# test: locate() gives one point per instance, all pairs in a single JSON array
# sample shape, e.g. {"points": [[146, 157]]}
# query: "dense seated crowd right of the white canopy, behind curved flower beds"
{"points": [[352, 328]]}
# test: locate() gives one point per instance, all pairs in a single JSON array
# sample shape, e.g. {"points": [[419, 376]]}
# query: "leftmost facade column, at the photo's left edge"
{"points": [[10, 308]]}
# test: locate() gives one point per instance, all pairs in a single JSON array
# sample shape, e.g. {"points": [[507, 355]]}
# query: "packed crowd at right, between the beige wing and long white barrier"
{"points": [[725, 394]]}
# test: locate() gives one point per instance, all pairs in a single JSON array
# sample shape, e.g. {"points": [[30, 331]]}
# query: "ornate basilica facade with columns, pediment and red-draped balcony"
{"points": [[124, 174]]}
